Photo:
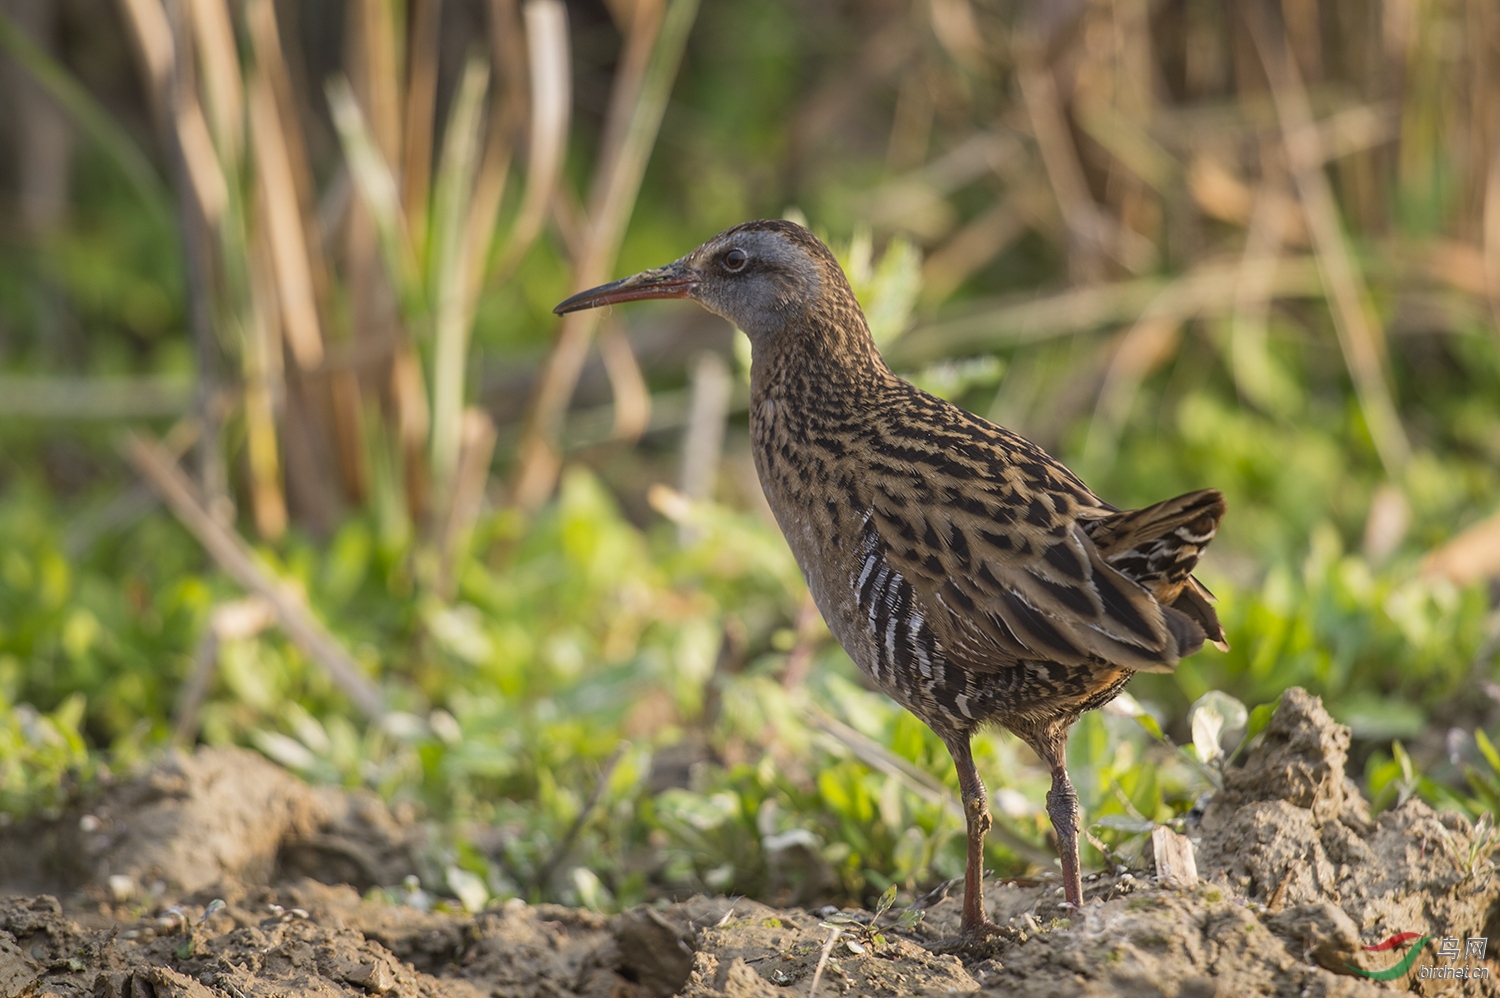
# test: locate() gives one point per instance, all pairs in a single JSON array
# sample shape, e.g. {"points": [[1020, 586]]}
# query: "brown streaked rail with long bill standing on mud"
{"points": [[968, 574]]}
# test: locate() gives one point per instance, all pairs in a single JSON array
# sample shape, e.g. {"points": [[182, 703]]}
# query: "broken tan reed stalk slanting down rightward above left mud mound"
{"points": [[247, 568]]}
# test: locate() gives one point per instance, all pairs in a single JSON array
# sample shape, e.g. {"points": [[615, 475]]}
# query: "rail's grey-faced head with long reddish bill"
{"points": [[760, 275]]}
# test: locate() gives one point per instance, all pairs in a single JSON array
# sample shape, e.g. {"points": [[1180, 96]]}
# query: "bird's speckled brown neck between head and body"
{"points": [[824, 353]]}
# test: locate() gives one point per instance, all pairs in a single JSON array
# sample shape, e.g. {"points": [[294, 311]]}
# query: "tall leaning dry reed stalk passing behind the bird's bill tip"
{"points": [[653, 53]]}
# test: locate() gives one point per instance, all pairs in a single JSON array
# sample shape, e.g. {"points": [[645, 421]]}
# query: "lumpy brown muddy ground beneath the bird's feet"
{"points": [[113, 901]]}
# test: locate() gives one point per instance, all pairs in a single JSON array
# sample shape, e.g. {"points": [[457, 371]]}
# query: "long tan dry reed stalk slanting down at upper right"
{"points": [[1360, 332]]}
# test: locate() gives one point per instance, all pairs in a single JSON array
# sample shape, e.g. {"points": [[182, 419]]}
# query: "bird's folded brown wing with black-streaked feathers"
{"points": [[1006, 571]]}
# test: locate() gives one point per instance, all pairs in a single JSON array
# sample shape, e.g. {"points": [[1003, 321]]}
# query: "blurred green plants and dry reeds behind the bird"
{"points": [[295, 455]]}
